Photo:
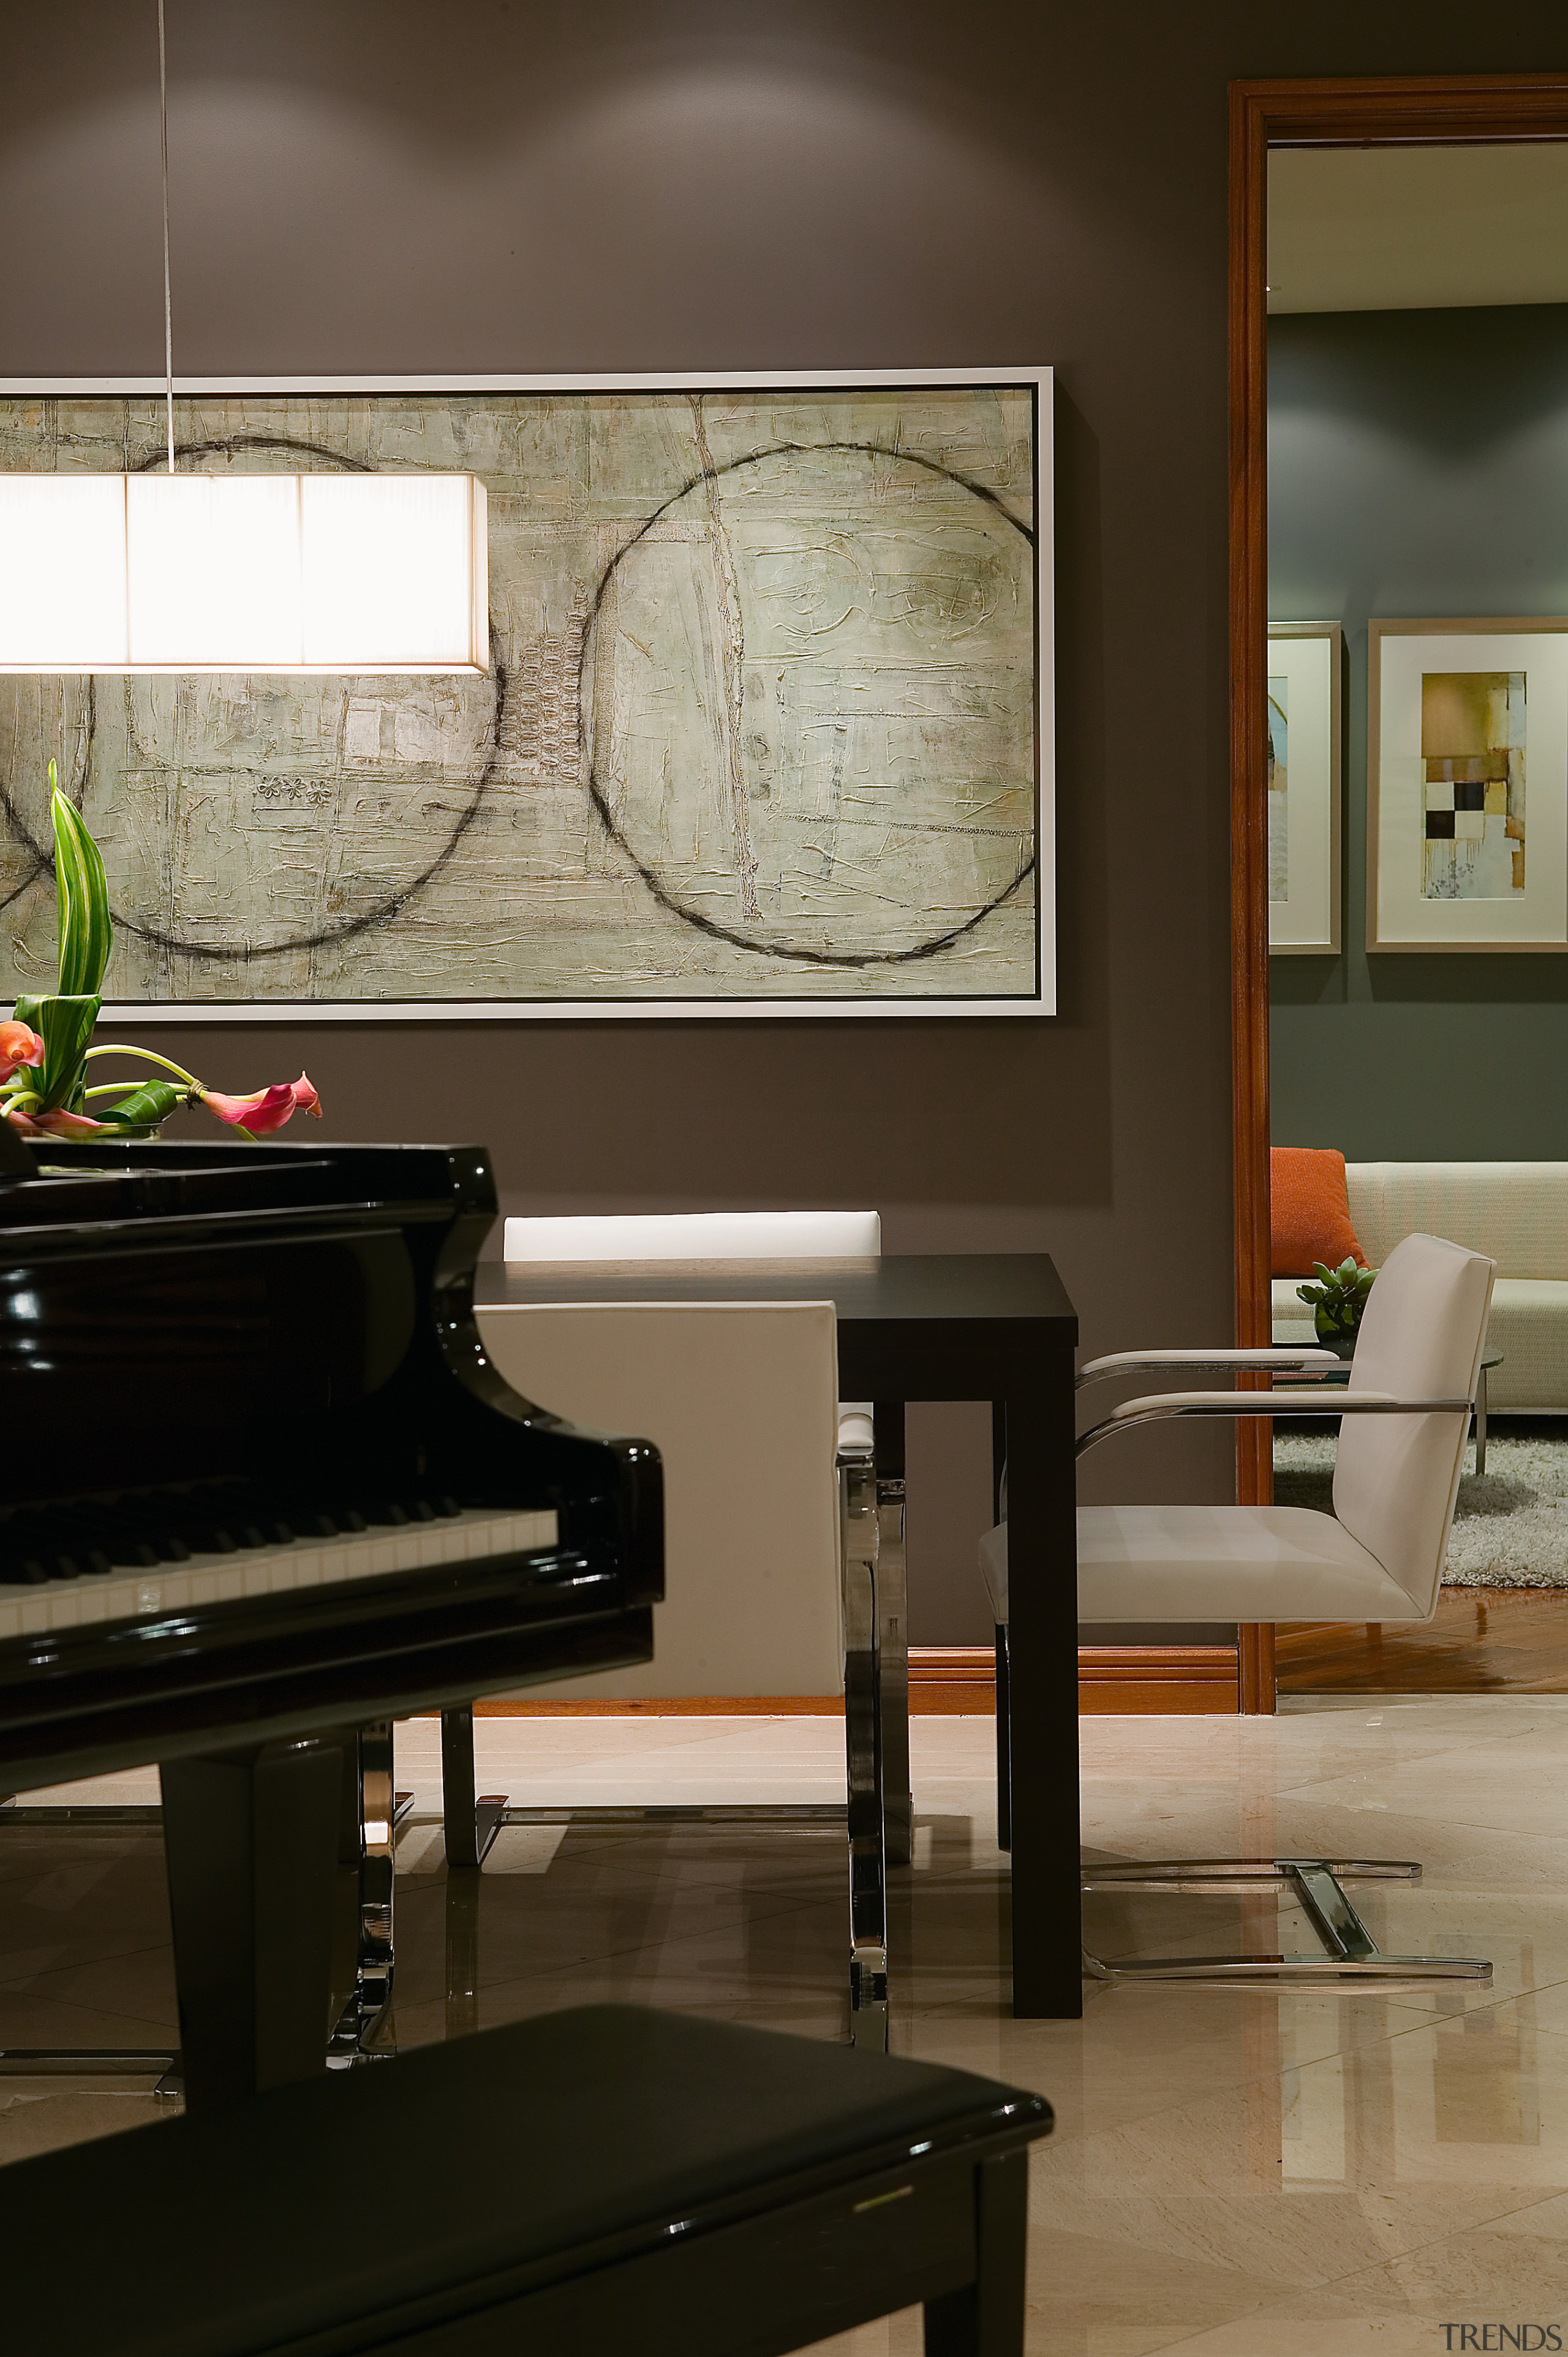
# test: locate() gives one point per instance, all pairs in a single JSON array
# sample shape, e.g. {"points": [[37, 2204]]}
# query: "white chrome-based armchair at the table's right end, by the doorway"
{"points": [[1378, 1557]]}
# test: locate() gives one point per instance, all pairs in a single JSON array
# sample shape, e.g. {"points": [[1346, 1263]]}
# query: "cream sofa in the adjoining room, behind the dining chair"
{"points": [[1517, 1213]]}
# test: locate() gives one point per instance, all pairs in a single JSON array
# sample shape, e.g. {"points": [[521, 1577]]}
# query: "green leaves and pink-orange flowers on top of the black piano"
{"points": [[46, 1050]]}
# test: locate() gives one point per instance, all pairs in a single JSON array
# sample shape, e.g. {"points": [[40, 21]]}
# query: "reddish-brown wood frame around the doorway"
{"points": [[1388, 112]]}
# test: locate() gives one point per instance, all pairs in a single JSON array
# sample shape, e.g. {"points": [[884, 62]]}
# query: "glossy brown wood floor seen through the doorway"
{"points": [[1484, 1642]]}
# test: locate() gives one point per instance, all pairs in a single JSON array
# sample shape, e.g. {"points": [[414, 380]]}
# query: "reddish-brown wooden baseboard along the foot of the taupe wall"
{"points": [[954, 1682]]}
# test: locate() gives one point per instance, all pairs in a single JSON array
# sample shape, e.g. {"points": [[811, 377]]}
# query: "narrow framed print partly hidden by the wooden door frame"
{"points": [[1303, 708]]}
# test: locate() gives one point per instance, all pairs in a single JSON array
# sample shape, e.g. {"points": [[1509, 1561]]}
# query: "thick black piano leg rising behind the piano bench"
{"points": [[251, 1844]]}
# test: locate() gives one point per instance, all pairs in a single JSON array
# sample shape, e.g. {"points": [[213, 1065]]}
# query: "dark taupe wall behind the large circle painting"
{"points": [[492, 185]]}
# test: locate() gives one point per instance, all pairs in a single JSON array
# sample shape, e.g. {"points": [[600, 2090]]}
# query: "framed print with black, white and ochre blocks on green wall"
{"points": [[1468, 786]]}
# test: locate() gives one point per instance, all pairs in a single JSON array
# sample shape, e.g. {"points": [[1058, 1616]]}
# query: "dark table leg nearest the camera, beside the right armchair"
{"points": [[1043, 1696]]}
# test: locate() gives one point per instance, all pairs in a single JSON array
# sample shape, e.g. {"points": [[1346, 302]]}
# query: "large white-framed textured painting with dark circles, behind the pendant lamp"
{"points": [[767, 727]]}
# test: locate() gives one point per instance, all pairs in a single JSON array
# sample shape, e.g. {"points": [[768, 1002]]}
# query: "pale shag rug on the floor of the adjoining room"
{"points": [[1510, 1524]]}
